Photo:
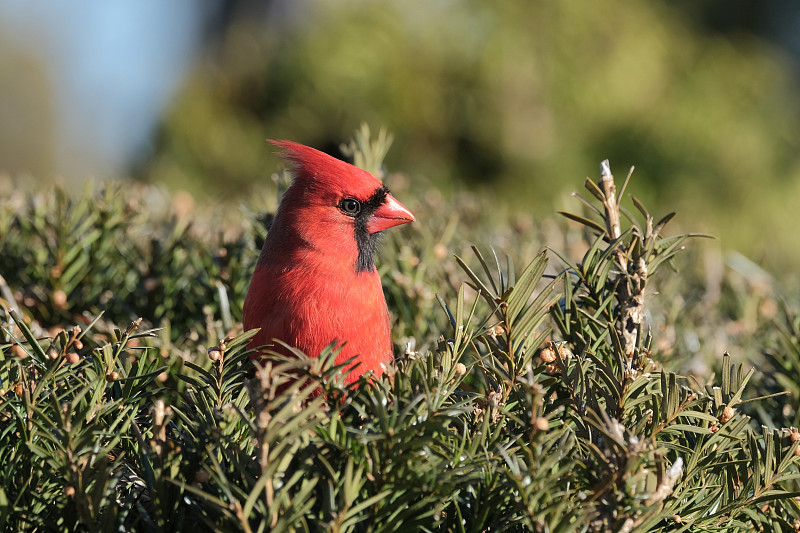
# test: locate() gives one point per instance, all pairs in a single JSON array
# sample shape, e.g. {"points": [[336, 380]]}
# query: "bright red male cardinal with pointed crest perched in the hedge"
{"points": [[315, 282]]}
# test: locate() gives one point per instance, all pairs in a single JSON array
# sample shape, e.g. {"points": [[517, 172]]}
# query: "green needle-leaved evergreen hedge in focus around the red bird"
{"points": [[537, 400]]}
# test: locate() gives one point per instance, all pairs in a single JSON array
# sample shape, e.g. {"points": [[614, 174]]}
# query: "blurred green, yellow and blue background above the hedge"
{"points": [[519, 99]]}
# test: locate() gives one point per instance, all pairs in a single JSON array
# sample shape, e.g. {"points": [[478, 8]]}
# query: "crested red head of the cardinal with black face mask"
{"points": [[333, 204]]}
